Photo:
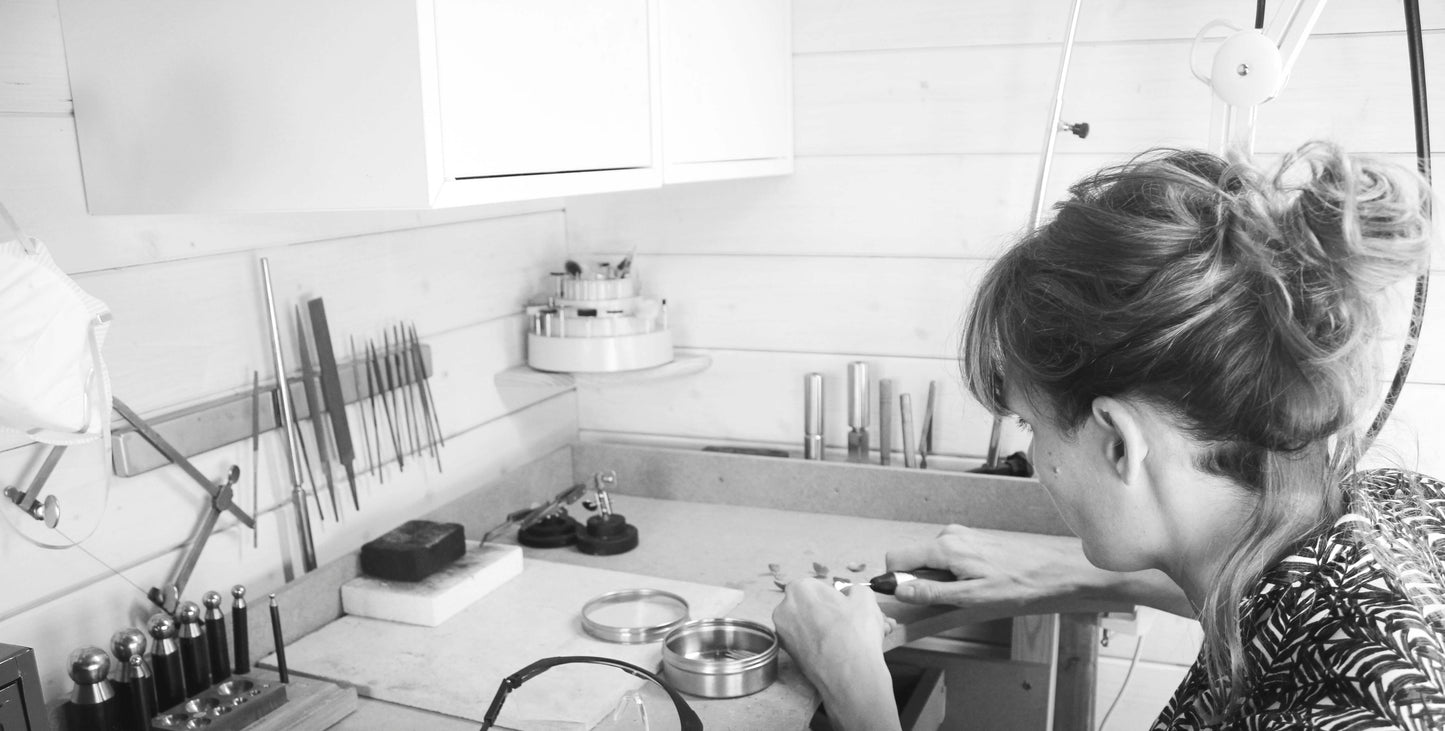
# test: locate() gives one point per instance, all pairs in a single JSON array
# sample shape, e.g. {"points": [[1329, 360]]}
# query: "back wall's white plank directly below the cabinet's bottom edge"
{"points": [[946, 206]]}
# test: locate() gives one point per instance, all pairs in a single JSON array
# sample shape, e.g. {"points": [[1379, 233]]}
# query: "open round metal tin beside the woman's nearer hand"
{"points": [[720, 658]]}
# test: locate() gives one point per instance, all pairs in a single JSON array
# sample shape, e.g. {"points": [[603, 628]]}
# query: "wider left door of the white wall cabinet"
{"points": [[544, 86]]}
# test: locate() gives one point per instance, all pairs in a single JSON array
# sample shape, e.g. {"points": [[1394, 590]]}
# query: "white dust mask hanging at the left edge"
{"points": [[54, 386]]}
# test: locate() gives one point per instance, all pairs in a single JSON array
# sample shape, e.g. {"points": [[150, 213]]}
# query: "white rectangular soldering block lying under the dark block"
{"points": [[439, 597]]}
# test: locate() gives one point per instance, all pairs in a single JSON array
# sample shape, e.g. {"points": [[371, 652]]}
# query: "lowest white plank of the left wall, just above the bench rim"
{"points": [[475, 457]]}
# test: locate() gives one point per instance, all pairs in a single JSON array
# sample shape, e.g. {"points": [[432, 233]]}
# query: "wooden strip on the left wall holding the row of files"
{"points": [[229, 420]]}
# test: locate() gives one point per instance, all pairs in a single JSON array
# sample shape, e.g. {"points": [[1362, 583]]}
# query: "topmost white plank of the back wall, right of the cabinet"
{"points": [[862, 25]]}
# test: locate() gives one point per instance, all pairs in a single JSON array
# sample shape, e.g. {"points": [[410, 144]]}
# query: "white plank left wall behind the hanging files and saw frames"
{"points": [[190, 327]]}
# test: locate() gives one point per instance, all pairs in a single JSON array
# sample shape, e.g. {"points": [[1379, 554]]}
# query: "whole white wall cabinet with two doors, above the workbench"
{"points": [[187, 106]]}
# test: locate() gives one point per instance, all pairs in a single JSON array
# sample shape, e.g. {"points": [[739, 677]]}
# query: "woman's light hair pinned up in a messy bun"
{"points": [[1243, 301]]}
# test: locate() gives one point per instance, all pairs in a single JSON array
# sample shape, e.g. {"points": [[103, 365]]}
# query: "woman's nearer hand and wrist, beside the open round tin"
{"points": [[837, 642]]}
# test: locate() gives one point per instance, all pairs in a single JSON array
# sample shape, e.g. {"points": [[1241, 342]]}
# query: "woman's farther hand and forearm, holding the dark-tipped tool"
{"points": [[1014, 574]]}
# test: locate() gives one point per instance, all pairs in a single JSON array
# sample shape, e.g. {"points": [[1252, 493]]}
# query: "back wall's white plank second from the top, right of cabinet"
{"points": [[991, 100]]}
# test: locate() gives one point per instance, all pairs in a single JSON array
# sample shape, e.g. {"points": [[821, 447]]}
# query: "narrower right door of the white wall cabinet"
{"points": [[726, 80]]}
